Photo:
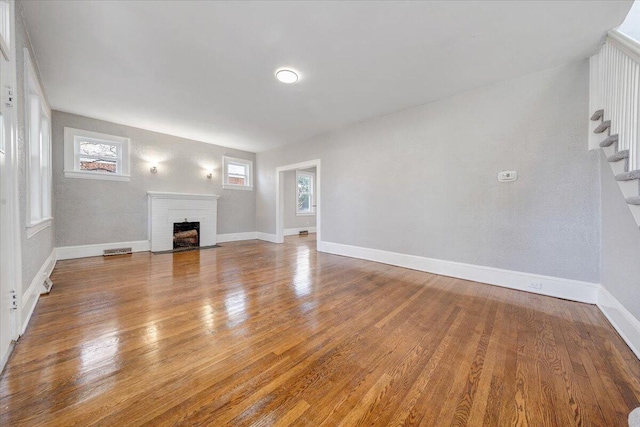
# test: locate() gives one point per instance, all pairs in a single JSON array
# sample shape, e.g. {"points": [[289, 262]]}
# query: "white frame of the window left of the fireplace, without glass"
{"points": [[72, 140]]}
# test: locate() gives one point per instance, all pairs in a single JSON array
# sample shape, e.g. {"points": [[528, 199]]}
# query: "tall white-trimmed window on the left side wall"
{"points": [[38, 144]]}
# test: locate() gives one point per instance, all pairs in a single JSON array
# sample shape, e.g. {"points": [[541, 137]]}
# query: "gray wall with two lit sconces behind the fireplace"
{"points": [[91, 211]]}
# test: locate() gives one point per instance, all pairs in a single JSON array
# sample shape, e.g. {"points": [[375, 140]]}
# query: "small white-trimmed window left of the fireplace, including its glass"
{"points": [[92, 155]]}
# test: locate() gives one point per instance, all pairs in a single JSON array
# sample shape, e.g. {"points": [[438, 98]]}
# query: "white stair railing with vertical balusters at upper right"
{"points": [[615, 88]]}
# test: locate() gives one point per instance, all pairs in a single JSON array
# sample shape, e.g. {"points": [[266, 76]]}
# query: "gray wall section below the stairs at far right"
{"points": [[620, 244]]}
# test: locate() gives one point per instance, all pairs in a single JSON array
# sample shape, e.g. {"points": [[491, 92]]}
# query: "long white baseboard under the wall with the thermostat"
{"points": [[551, 286]]}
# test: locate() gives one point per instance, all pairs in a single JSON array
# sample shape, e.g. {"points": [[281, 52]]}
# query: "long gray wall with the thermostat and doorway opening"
{"points": [[423, 181]]}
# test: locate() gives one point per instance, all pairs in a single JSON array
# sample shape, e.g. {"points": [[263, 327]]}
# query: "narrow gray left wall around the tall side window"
{"points": [[36, 249]]}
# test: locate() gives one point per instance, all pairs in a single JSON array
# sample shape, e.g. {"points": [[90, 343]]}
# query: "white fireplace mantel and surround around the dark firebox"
{"points": [[165, 209]]}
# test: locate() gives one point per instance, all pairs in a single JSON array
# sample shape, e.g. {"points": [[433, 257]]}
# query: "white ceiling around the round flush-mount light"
{"points": [[205, 70]]}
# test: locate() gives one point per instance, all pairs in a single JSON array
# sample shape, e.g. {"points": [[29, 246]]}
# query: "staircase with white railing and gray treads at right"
{"points": [[614, 96]]}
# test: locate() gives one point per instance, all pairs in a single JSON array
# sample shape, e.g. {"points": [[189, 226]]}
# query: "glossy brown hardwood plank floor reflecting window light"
{"points": [[254, 333]]}
